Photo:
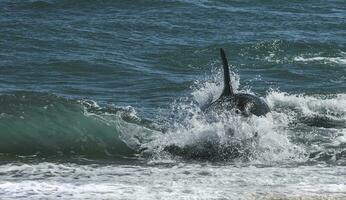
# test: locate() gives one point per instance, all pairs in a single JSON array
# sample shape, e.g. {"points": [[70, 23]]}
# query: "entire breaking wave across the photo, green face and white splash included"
{"points": [[299, 128]]}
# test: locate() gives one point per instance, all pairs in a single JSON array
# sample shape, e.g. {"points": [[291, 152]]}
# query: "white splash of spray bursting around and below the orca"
{"points": [[224, 136]]}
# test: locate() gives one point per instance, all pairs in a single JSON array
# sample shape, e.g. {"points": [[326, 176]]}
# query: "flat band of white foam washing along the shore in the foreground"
{"points": [[182, 181]]}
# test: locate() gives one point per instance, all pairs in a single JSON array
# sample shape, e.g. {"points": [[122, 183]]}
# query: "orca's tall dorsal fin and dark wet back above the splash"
{"points": [[244, 103]]}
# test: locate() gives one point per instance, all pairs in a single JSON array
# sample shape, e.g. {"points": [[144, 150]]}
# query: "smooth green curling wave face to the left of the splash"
{"points": [[42, 124]]}
